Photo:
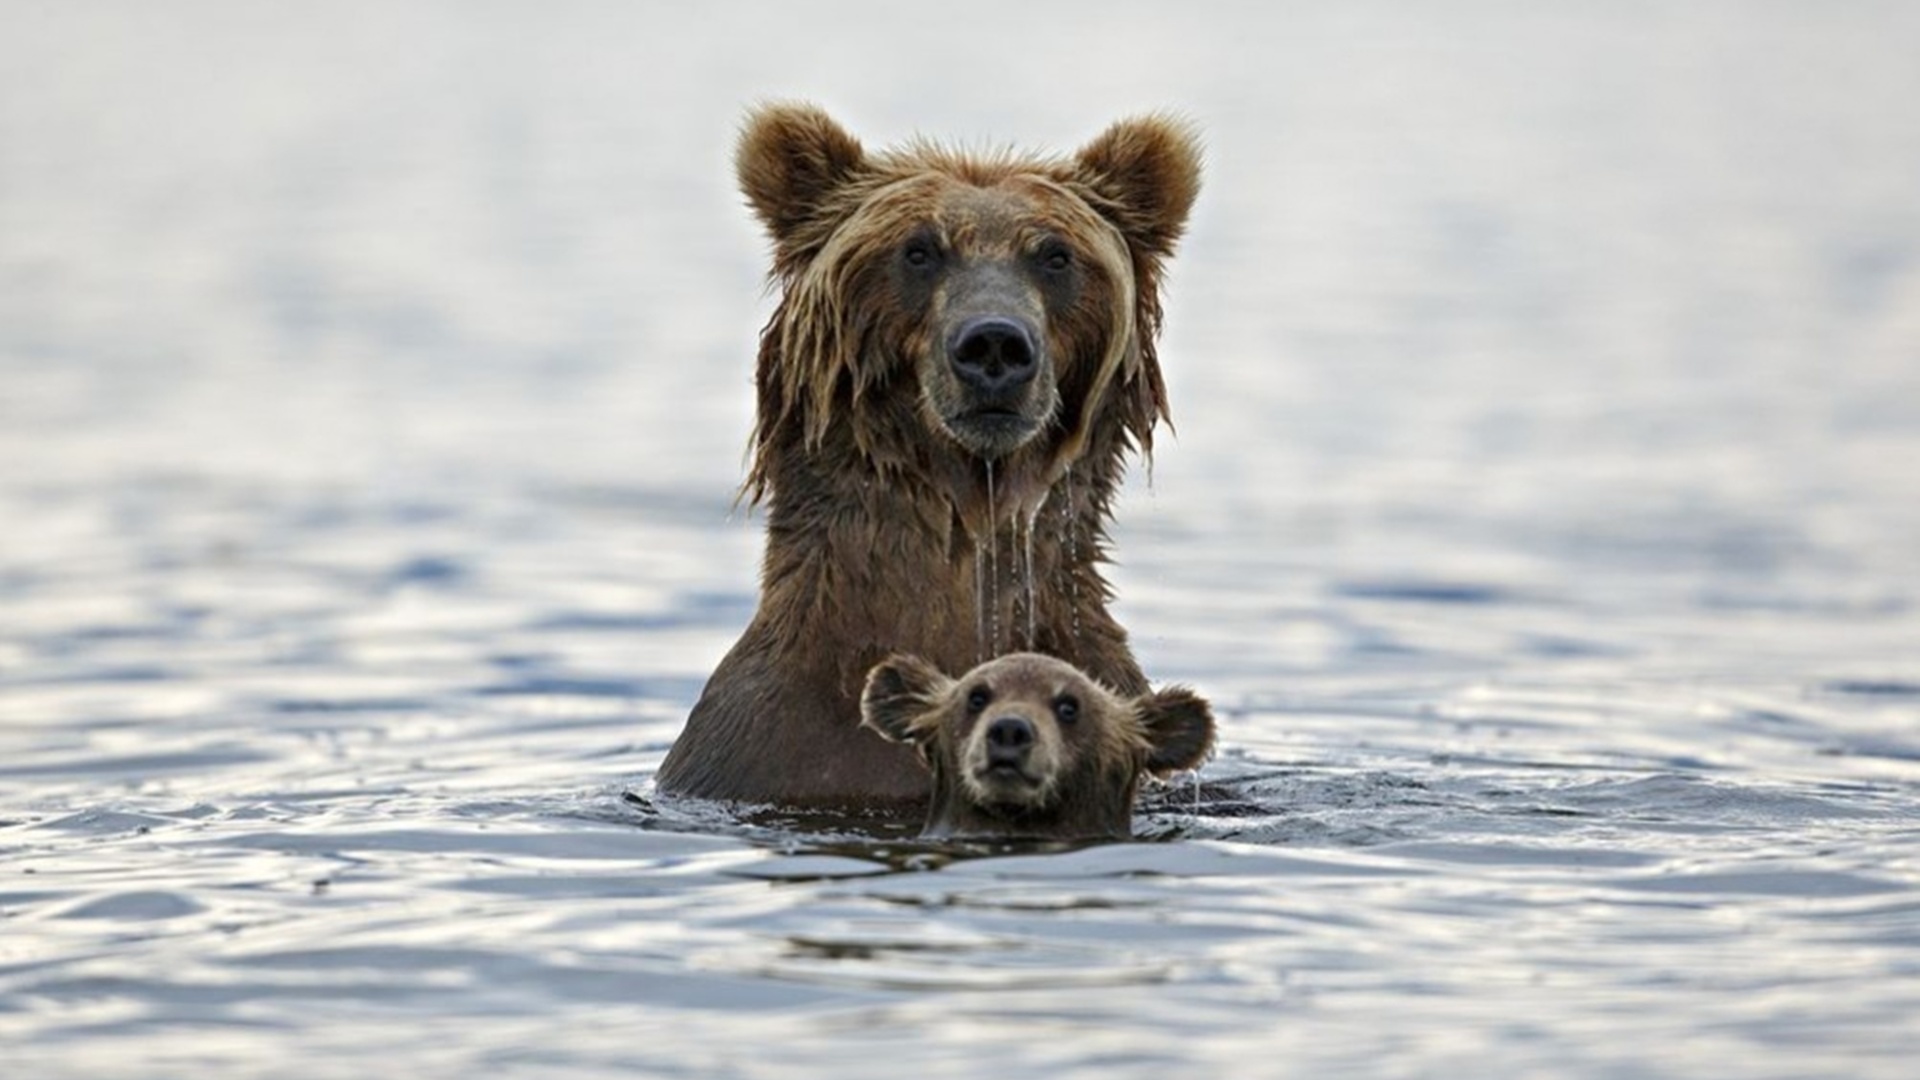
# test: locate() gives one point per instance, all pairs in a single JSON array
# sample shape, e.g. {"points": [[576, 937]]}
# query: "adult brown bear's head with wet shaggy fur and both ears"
{"points": [[980, 307]]}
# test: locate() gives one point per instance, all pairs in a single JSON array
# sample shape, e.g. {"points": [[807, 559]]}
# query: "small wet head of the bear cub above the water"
{"points": [[1030, 747]]}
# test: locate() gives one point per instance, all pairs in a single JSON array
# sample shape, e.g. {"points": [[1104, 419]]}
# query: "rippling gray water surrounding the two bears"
{"points": [[1543, 520]]}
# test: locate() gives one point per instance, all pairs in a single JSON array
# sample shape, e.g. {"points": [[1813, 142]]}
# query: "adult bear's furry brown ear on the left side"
{"points": [[790, 160]]}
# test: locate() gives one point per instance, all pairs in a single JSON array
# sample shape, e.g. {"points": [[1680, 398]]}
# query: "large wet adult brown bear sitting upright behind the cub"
{"points": [[961, 360]]}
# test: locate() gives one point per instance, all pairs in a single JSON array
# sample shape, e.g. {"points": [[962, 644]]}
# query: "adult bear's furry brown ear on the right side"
{"points": [[1147, 172]]}
